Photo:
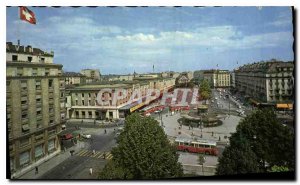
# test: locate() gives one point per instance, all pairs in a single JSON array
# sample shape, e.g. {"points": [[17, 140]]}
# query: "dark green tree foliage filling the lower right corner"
{"points": [[269, 141]]}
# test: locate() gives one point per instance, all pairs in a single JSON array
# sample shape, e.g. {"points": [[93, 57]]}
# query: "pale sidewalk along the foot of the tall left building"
{"points": [[51, 163]]}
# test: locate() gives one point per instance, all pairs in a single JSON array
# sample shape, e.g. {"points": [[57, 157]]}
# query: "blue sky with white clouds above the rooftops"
{"points": [[121, 40]]}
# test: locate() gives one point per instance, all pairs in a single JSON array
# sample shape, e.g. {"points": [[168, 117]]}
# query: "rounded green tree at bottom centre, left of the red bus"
{"points": [[143, 152]]}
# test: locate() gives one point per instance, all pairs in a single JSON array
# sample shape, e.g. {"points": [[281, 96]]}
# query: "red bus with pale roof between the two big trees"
{"points": [[196, 146]]}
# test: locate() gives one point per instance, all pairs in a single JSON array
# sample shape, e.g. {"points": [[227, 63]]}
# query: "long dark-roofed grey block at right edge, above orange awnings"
{"points": [[266, 82]]}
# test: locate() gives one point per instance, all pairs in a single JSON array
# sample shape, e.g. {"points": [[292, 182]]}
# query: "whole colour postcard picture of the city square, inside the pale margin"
{"points": [[160, 97]]}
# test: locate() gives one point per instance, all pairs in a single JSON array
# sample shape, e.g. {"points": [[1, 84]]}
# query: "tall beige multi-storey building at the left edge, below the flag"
{"points": [[35, 109]]}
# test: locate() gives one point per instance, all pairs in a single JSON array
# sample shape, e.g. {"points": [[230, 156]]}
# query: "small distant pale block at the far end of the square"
{"points": [[218, 78]]}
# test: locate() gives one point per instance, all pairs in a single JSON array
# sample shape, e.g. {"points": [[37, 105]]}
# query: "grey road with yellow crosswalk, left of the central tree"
{"points": [[78, 165]]}
